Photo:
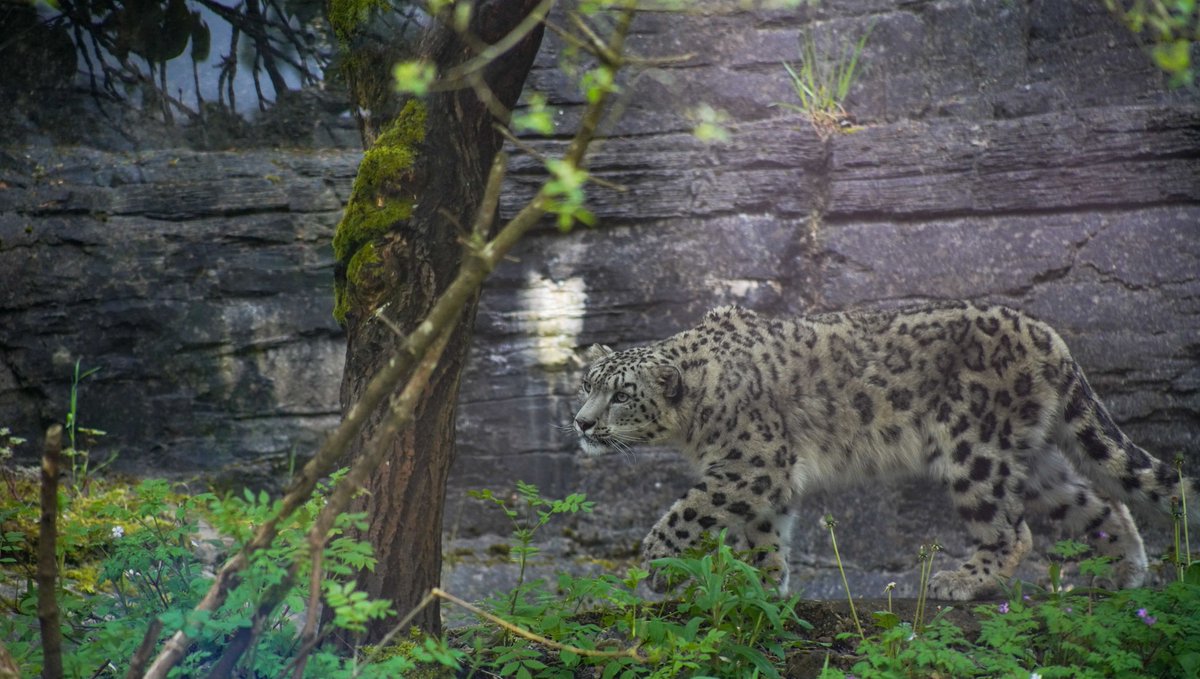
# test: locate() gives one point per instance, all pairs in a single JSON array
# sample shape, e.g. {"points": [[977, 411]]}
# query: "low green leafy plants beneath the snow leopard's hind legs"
{"points": [[1137, 633]]}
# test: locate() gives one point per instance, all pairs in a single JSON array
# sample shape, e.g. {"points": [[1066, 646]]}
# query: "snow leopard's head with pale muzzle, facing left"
{"points": [[628, 398]]}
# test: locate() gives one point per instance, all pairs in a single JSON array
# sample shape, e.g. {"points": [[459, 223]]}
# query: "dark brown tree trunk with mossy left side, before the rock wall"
{"points": [[398, 248]]}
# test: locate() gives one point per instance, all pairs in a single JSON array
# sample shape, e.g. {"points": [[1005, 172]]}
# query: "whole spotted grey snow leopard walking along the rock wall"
{"points": [[986, 400]]}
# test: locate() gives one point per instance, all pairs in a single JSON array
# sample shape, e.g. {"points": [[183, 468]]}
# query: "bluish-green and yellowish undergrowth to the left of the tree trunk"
{"points": [[133, 563]]}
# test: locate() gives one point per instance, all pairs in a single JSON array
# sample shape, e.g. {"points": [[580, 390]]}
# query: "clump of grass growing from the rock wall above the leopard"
{"points": [[823, 83]]}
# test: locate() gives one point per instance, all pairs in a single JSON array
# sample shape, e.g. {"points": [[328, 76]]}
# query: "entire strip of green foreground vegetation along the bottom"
{"points": [[140, 555]]}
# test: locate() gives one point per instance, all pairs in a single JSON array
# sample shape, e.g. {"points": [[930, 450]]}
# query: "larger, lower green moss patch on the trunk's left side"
{"points": [[381, 200]]}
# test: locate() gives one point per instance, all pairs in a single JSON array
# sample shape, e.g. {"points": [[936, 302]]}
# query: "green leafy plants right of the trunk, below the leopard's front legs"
{"points": [[728, 621]]}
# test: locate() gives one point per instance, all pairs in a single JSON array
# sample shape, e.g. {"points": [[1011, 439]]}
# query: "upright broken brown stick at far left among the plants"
{"points": [[47, 562]]}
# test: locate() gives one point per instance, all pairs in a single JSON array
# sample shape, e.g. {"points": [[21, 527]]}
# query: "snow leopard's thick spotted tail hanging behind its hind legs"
{"points": [[1120, 468]]}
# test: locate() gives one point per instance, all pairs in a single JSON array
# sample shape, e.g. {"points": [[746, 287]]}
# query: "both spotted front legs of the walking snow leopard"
{"points": [[751, 508]]}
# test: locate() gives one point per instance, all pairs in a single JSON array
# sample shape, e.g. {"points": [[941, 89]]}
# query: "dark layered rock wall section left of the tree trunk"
{"points": [[200, 285]]}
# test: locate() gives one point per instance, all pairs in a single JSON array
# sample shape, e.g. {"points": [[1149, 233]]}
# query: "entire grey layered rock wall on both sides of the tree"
{"points": [[1022, 153]]}
